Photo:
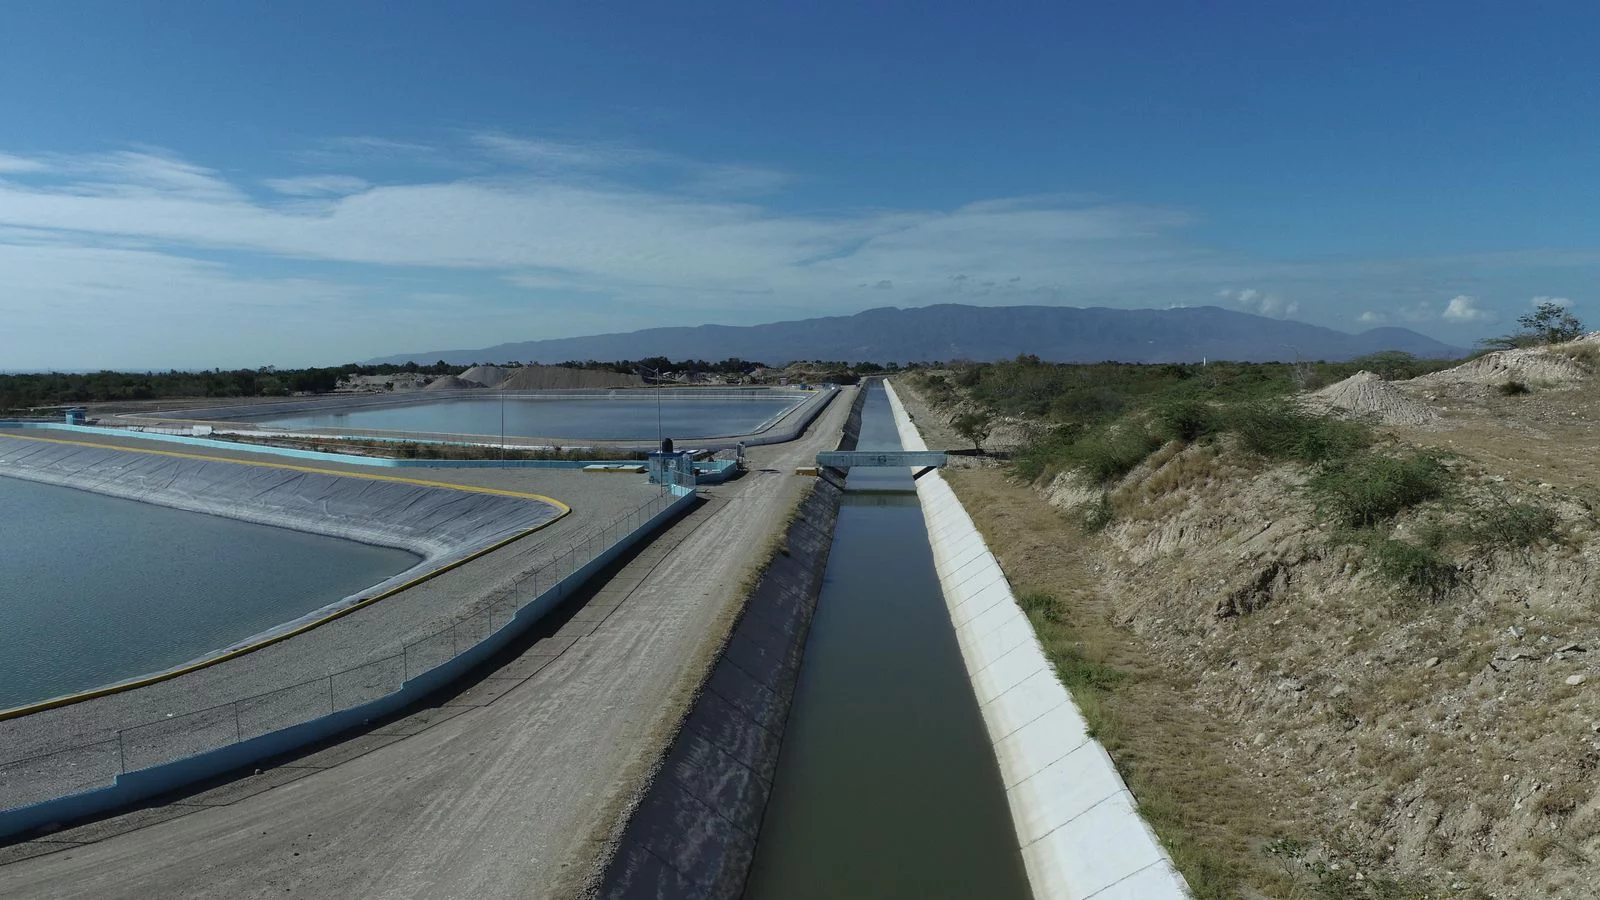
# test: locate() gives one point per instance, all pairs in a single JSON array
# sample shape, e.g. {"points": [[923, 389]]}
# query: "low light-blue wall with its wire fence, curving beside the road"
{"points": [[143, 761]]}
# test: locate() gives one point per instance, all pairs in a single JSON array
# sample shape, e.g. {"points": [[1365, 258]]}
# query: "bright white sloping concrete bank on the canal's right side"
{"points": [[1079, 827]]}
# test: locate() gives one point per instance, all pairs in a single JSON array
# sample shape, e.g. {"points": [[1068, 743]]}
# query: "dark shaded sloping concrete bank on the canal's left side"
{"points": [[694, 834]]}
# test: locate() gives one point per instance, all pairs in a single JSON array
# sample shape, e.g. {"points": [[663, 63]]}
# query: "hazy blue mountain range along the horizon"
{"points": [[1057, 334]]}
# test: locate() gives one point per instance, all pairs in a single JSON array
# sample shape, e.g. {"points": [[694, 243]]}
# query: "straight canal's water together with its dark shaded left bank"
{"points": [[836, 749]]}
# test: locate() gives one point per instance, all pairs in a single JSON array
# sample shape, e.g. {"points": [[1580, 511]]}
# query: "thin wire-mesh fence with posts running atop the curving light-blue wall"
{"points": [[100, 761]]}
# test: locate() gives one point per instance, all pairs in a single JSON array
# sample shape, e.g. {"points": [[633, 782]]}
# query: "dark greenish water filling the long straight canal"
{"points": [[887, 787]]}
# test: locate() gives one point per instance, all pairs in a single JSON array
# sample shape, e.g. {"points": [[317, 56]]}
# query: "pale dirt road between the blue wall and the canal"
{"points": [[497, 794]]}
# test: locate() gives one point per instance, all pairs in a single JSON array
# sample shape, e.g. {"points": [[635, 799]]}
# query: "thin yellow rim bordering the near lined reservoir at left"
{"points": [[146, 681]]}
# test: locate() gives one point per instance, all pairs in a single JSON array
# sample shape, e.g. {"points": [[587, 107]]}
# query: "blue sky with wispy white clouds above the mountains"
{"points": [[290, 183]]}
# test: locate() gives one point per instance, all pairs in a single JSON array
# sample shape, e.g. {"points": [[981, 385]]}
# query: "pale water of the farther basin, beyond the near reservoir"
{"points": [[598, 419]]}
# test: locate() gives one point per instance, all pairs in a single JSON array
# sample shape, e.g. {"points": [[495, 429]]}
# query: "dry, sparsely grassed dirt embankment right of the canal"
{"points": [[1310, 728]]}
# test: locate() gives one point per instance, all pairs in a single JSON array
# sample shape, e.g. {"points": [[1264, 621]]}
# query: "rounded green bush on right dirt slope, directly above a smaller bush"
{"points": [[1366, 489]]}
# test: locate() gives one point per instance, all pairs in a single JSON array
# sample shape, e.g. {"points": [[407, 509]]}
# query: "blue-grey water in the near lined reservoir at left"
{"points": [[97, 589]]}
